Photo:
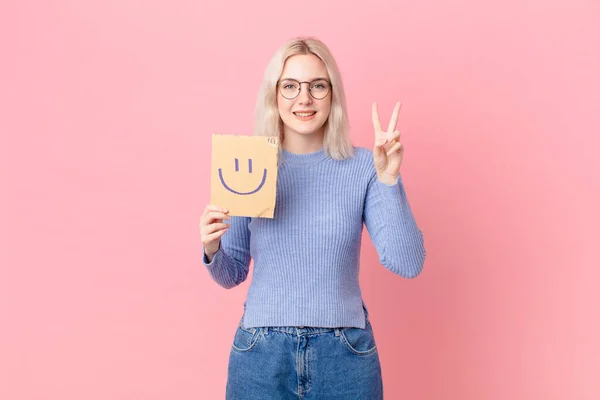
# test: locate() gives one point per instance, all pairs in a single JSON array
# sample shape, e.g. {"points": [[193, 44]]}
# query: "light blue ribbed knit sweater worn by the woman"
{"points": [[306, 258]]}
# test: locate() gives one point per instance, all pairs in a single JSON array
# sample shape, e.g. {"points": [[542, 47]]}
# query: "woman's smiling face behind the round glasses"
{"points": [[304, 115]]}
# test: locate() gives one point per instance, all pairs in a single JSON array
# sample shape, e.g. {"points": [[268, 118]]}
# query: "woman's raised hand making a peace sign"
{"points": [[387, 151]]}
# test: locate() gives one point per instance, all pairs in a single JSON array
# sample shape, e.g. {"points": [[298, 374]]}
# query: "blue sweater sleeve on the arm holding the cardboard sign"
{"points": [[230, 264]]}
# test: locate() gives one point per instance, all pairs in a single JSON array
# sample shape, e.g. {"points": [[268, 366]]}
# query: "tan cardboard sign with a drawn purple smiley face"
{"points": [[244, 174]]}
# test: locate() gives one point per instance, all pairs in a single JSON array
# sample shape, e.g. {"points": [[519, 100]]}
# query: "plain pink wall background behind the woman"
{"points": [[107, 108]]}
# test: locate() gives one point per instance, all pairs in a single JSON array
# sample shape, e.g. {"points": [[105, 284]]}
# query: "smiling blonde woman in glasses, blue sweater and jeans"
{"points": [[305, 331]]}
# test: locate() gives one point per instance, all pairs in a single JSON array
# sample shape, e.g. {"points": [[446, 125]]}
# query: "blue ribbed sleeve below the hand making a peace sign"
{"points": [[392, 227]]}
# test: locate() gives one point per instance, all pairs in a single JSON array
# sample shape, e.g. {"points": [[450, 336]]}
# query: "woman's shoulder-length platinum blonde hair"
{"points": [[336, 141]]}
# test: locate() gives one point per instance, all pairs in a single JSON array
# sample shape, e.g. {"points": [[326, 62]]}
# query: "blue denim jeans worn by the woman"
{"points": [[308, 363]]}
